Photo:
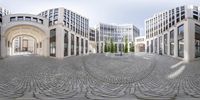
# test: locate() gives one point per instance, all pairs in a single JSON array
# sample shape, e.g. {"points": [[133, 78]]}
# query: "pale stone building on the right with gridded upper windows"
{"points": [[175, 32]]}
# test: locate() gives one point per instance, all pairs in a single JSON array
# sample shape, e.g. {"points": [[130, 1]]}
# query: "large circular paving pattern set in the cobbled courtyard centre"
{"points": [[119, 70]]}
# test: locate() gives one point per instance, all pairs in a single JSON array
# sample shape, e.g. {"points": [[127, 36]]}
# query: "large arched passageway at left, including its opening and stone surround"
{"points": [[25, 39]]}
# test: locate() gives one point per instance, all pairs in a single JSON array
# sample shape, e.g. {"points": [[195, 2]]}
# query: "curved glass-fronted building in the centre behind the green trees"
{"points": [[117, 33]]}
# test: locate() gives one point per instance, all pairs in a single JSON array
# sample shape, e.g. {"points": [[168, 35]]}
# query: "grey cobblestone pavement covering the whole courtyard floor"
{"points": [[99, 76]]}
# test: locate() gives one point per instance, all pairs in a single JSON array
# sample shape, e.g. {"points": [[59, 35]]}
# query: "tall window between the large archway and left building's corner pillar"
{"points": [[53, 42]]}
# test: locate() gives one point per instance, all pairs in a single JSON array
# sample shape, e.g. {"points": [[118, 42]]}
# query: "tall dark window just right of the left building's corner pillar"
{"points": [[66, 43]]}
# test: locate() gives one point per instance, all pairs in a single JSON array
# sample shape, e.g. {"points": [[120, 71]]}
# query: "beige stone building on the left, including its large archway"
{"points": [[56, 32]]}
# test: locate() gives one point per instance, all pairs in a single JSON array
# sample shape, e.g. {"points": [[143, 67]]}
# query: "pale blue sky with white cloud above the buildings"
{"points": [[104, 11]]}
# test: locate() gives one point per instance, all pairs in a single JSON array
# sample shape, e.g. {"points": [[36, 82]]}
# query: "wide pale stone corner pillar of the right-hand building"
{"points": [[189, 40]]}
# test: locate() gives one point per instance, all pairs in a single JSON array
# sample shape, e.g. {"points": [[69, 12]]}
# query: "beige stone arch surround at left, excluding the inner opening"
{"points": [[39, 36]]}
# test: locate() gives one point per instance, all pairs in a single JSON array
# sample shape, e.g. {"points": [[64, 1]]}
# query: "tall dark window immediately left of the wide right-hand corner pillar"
{"points": [[181, 41]]}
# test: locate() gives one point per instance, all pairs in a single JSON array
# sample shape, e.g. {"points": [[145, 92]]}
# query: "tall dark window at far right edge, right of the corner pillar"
{"points": [[197, 41]]}
